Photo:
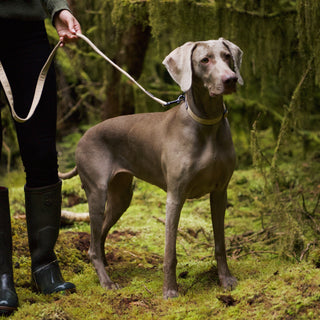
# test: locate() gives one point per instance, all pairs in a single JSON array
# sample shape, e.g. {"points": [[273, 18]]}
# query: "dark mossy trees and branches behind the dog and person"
{"points": [[281, 65]]}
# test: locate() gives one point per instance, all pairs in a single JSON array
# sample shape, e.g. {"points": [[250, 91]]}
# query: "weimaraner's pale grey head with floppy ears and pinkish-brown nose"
{"points": [[215, 62]]}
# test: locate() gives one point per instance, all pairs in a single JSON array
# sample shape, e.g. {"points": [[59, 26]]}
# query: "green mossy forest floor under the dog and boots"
{"points": [[276, 280]]}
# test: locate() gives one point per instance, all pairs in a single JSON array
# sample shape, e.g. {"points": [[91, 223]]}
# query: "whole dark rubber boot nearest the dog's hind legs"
{"points": [[43, 212]]}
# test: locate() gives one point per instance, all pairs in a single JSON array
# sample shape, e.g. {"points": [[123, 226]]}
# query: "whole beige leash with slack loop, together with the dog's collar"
{"points": [[42, 78]]}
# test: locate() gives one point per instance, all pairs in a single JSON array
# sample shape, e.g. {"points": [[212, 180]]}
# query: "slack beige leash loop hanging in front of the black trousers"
{"points": [[38, 90]]}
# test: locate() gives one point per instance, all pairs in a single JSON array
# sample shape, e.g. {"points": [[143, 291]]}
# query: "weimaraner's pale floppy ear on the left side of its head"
{"points": [[178, 64]]}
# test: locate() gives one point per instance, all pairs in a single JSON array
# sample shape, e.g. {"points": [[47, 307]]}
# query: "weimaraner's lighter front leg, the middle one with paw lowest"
{"points": [[173, 209]]}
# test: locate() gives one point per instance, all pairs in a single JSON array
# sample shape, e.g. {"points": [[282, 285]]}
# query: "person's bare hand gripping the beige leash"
{"points": [[67, 26]]}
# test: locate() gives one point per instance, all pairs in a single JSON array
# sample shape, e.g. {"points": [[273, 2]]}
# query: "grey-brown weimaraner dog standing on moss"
{"points": [[187, 151]]}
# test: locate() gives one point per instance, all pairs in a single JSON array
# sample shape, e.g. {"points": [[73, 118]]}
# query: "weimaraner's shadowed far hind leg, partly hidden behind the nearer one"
{"points": [[119, 196]]}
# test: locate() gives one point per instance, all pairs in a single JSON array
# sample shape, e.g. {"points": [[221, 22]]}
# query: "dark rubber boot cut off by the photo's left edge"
{"points": [[8, 295]]}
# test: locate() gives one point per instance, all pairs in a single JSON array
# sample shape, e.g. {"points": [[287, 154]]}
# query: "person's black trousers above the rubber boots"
{"points": [[24, 48]]}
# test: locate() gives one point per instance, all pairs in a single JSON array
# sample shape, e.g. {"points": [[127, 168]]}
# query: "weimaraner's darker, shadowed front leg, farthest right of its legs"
{"points": [[218, 203]]}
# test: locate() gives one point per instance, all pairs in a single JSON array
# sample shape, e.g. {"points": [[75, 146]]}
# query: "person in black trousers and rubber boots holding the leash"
{"points": [[23, 51]]}
